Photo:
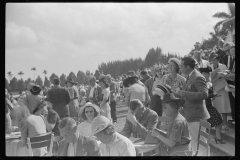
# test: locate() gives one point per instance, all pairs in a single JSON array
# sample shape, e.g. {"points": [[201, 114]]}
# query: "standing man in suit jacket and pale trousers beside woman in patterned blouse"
{"points": [[194, 93]]}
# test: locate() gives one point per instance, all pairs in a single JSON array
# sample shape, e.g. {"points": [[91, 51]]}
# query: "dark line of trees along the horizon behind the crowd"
{"points": [[115, 68]]}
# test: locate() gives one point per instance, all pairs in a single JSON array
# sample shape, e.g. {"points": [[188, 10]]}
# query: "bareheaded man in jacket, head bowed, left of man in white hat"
{"points": [[75, 144]]}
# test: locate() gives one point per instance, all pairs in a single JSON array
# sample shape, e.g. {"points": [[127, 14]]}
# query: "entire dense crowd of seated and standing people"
{"points": [[83, 117]]}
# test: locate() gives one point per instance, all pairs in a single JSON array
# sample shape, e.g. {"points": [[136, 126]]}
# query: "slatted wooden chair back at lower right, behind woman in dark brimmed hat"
{"points": [[204, 136]]}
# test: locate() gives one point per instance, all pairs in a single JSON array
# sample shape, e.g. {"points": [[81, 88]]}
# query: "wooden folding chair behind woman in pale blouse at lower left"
{"points": [[44, 140]]}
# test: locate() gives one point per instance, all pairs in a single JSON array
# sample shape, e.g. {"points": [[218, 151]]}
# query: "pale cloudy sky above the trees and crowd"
{"points": [[68, 37]]}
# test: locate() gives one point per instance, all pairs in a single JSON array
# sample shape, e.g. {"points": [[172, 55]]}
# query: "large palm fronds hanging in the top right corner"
{"points": [[224, 16]]}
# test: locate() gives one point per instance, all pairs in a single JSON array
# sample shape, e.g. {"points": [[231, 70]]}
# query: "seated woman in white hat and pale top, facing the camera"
{"points": [[88, 111]]}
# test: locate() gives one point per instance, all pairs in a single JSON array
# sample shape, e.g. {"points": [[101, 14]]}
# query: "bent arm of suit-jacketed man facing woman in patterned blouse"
{"points": [[201, 86]]}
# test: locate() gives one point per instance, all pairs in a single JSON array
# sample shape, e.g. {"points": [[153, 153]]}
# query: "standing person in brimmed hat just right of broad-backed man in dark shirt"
{"points": [[73, 93]]}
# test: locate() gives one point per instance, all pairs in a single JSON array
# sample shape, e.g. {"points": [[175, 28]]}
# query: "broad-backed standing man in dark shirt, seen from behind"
{"points": [[59, 98]]}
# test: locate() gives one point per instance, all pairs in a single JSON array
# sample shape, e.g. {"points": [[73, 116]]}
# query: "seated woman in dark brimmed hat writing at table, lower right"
{"points": [[178, 136]]}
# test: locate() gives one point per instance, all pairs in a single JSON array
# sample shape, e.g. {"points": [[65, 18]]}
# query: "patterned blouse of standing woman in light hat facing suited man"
{"points": [[178, 82]]}
